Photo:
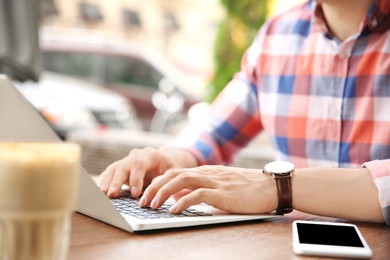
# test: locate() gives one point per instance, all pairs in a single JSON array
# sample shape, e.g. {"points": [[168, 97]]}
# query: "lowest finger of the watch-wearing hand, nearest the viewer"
{"points": [[196, 197]]}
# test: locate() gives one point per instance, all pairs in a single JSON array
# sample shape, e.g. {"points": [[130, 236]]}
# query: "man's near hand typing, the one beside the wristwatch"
{"points": [[235, 190]]}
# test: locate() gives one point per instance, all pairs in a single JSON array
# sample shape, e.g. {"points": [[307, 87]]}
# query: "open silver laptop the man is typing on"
{"points": [[19, 121]]}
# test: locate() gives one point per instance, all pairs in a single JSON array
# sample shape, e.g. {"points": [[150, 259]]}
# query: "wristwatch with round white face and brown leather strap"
{"points": [[282, 173]]}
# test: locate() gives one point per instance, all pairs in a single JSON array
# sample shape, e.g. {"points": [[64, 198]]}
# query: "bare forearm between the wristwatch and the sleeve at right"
{"points": [[335, 192]]}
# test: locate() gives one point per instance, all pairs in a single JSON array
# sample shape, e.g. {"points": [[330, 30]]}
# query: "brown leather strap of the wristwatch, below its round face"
{"points": [[283, 184]]}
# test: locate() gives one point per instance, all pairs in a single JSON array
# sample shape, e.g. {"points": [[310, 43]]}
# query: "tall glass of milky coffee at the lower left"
{"points": [[38, 191]]}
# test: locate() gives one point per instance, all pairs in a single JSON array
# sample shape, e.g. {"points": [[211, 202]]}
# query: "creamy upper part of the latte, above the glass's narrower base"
{"points": [[36, 176]]}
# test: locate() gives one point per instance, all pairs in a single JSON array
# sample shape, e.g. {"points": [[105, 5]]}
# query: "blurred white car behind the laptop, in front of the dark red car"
{"points": [[71, 104]]}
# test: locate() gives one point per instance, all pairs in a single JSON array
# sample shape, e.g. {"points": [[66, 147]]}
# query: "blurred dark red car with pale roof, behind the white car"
{"points": [[133, 72]]}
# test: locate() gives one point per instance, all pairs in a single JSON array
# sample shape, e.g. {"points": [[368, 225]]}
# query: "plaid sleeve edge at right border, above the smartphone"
{"points": [[380, 173]]}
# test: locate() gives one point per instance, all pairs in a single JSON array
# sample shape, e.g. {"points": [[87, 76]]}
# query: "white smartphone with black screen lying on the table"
{"points": [[329, 239]]}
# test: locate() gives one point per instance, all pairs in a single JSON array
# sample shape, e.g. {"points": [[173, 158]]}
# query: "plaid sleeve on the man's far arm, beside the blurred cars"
{"points": [[233, 121]]}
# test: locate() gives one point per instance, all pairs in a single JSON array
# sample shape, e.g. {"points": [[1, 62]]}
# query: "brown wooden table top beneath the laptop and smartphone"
{"points": [[264, 239]]}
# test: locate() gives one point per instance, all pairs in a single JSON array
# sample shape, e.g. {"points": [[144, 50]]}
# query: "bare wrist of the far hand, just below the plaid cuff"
{"points": [[180, 157]]}
